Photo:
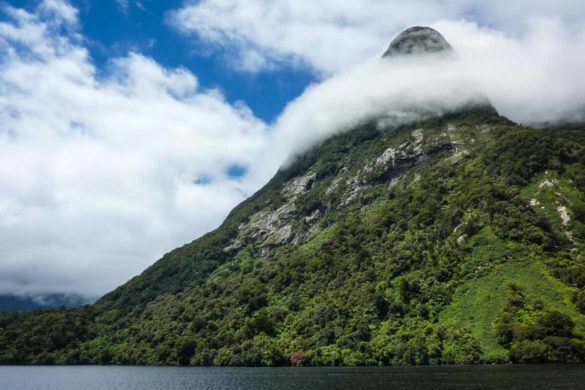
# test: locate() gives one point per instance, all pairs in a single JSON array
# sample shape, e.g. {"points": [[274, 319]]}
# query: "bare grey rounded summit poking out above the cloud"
{"points": [[417, 41]]}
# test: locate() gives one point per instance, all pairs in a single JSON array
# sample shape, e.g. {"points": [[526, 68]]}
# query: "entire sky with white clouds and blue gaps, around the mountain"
{"points": [[130, 127]]}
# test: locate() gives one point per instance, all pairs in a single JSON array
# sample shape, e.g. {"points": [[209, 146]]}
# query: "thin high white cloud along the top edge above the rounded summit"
{"points": [[330, 36]]}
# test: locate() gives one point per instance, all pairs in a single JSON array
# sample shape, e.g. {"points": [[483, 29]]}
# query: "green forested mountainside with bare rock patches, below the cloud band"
{"points": [[454, 239]]}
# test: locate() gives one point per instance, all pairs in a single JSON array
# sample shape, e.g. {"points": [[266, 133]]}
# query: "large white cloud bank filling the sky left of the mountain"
{"points": [[99, 174]]}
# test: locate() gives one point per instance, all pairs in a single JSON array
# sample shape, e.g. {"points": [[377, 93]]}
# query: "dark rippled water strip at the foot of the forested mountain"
{"points": [[351, 378]]}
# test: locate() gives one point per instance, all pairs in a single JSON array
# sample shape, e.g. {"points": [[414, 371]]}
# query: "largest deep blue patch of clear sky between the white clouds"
{"points": [[112, 31]]}
